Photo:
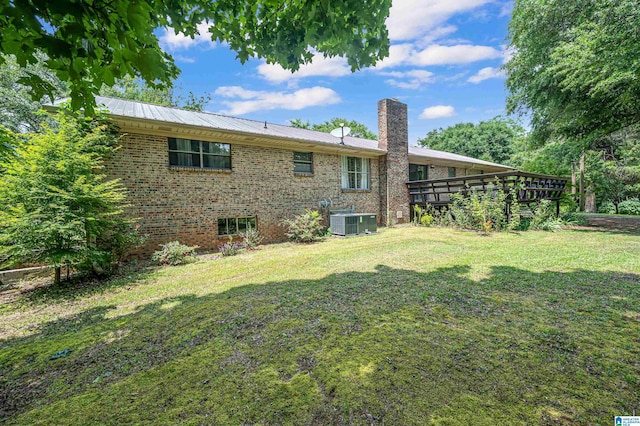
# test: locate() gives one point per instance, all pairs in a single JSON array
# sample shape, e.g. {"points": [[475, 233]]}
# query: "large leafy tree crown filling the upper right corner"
{"points": [[574, 67]]}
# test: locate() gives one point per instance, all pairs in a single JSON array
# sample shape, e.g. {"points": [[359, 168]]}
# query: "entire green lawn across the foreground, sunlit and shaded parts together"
{"points": [[410, 326]]}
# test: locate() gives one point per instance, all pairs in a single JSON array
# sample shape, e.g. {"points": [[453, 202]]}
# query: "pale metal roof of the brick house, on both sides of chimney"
{"points": [[140, 110]]}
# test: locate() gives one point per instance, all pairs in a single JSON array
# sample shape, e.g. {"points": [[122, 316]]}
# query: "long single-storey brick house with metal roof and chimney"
{"points": [[200, 177]]}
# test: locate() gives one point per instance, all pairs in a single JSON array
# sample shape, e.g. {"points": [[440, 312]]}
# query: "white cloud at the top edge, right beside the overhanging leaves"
{"points": [[411, 19]]}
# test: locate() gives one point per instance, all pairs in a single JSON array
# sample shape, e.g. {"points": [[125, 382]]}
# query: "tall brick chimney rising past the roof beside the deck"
{"points": [[393, 136]]}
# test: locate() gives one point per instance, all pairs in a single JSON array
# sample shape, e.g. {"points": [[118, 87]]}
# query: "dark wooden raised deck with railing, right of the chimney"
{"points": [[533, 188]]}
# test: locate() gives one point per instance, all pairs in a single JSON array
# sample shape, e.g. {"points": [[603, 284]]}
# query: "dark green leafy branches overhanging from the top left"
{"points": [[94, 42]]}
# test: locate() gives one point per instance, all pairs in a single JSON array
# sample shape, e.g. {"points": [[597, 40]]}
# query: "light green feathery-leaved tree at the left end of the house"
{"points": [[55, 207]]}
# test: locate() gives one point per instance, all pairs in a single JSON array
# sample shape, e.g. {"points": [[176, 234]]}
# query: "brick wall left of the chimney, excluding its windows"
{"points": [[184, 205]]}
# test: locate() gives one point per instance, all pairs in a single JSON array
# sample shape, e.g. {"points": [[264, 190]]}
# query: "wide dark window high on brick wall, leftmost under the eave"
{"points": [[199, 154]]}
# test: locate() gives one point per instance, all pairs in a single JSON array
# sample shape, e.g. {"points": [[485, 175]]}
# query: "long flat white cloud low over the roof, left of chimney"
{"points": [[251, 101]]}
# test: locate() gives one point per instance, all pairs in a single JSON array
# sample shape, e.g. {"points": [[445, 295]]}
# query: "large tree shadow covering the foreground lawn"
{"points": [[390, 346]]}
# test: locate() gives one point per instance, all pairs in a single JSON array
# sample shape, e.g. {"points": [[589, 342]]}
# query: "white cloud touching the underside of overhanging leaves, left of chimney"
{"points": [[319, 66]]}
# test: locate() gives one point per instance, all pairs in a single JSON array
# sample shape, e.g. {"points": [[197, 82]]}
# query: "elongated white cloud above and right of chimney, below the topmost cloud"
{"points": [[459, 54]]}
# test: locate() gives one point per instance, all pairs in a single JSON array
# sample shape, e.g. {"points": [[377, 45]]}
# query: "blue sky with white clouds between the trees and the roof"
{"points": [[444, 64]]}
